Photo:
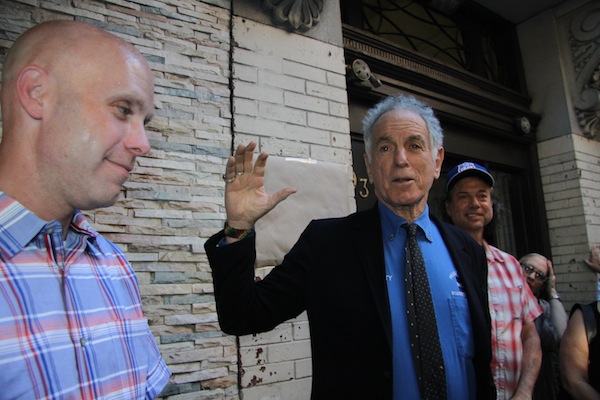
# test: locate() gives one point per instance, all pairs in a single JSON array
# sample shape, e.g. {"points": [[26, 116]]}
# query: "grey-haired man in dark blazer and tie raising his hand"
{"points": [[349, 274]]}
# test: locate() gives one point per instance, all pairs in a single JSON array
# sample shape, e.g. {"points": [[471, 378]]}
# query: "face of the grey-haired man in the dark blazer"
{"points": [[402, 166]]}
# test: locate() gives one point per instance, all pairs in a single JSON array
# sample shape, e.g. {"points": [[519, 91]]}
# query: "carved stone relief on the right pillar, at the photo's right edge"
{"points": [[585, 48]]}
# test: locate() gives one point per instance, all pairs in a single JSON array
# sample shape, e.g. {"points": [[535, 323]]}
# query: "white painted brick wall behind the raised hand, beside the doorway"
{"points": [[289, 97]]}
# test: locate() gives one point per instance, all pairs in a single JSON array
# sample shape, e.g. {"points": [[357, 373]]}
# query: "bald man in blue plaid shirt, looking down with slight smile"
{"points": [[75, 101]]}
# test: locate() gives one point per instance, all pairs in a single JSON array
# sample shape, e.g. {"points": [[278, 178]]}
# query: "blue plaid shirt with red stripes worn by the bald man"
{"points": [[71, 321]]}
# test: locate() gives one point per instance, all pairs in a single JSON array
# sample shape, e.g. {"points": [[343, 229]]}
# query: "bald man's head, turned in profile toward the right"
{"points": [[75, 102]]}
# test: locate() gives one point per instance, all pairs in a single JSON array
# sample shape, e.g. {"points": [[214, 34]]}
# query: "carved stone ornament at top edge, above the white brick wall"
{"points": [[299, 15]]}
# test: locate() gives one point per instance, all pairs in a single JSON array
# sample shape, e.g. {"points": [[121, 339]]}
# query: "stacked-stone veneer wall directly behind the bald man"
{"points": [[174, 199]]}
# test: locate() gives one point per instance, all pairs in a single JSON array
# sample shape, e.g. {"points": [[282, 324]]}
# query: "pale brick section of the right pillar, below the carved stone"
{"points": [[570, 170]]}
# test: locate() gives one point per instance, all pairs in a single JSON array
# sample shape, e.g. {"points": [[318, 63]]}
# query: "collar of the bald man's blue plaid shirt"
{"points": [[19, 226]]}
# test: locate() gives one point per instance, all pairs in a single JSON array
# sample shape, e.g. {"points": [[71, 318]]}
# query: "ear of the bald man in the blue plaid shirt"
{"points": [[32, 85]]}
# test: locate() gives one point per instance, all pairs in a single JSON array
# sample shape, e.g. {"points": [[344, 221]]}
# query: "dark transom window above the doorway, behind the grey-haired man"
{"points": [[471, 38]]}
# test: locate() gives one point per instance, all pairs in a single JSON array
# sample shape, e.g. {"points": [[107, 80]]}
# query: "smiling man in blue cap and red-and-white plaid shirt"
{"points": [[516, 353]]}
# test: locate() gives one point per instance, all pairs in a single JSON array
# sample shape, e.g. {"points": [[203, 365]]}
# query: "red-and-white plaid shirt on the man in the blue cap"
{"points": [[511, 306]]}
